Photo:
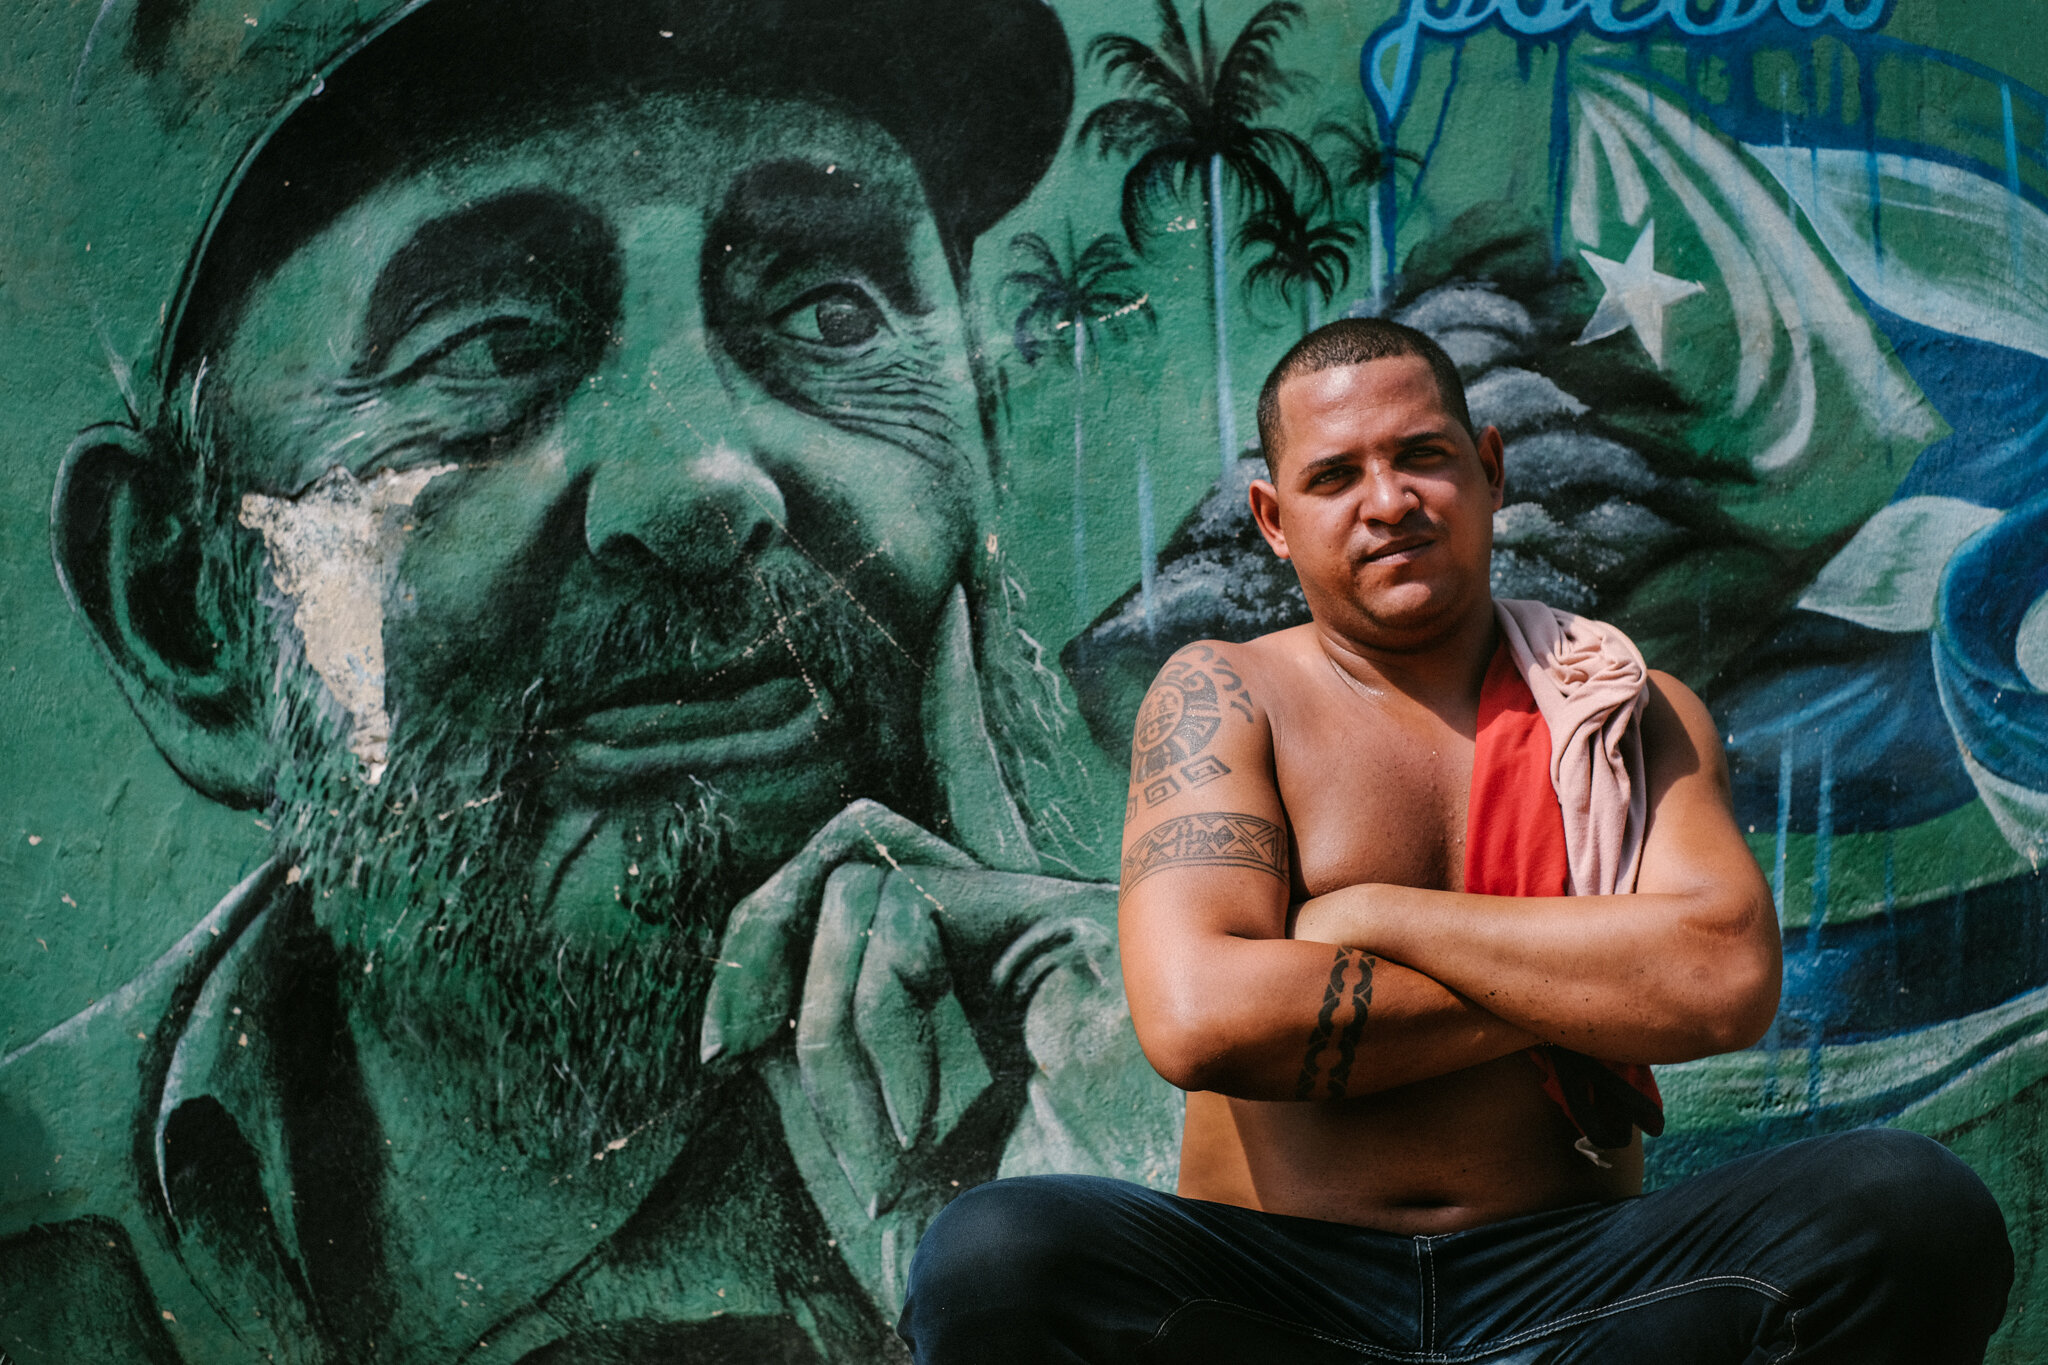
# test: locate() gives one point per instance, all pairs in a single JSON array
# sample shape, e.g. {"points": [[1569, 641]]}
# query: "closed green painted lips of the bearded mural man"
{"points": [[681, 723]]}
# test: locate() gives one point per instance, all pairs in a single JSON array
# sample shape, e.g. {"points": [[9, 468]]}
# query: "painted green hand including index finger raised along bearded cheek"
{"points": [[880, 953]]}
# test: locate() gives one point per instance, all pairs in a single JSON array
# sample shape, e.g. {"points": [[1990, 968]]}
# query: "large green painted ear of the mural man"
{"points": [[171, 607]]}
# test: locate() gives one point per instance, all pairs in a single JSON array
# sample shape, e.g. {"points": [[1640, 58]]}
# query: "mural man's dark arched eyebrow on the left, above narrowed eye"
{"points": [[529, 243]]}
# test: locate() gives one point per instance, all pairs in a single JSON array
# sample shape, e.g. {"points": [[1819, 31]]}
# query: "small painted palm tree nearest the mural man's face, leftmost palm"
{"points": [[1066, 302]]}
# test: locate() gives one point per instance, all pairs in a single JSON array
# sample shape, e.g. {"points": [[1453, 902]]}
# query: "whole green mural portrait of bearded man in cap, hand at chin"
{"points": [[566, 521]]}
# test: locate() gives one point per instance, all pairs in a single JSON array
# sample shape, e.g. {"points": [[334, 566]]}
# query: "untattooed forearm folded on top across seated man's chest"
{"points": [[1635, 979]]}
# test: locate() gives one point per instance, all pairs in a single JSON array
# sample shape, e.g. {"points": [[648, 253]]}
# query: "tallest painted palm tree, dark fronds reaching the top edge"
{"points": [[1191, 120]]}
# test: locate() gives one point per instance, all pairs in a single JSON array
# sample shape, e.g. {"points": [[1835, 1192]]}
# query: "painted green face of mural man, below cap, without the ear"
{"points": [[663, 451]]}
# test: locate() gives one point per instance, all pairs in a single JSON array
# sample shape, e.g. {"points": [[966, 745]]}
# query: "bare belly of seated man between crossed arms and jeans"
{"points": [[1431, 1157]]}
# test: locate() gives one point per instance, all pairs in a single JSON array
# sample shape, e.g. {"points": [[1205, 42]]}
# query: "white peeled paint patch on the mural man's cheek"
{"points": [[335, 554]]}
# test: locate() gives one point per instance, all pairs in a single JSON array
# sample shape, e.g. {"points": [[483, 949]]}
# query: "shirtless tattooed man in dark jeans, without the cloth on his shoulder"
{"points": [[1295, 887]]}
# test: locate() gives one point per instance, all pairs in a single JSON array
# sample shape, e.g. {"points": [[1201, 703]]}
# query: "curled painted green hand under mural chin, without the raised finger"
{"points": [[919, 985]]}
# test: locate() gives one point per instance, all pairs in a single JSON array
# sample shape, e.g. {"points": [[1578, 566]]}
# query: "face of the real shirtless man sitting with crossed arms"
{"points": [[1383, 502]]}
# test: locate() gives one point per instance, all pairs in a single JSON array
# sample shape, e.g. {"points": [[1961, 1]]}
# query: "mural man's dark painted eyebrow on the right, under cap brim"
{"points": [[787, 216]]}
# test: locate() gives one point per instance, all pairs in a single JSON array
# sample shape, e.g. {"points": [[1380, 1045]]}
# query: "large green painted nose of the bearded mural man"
{"points": [[673, 482]]}
